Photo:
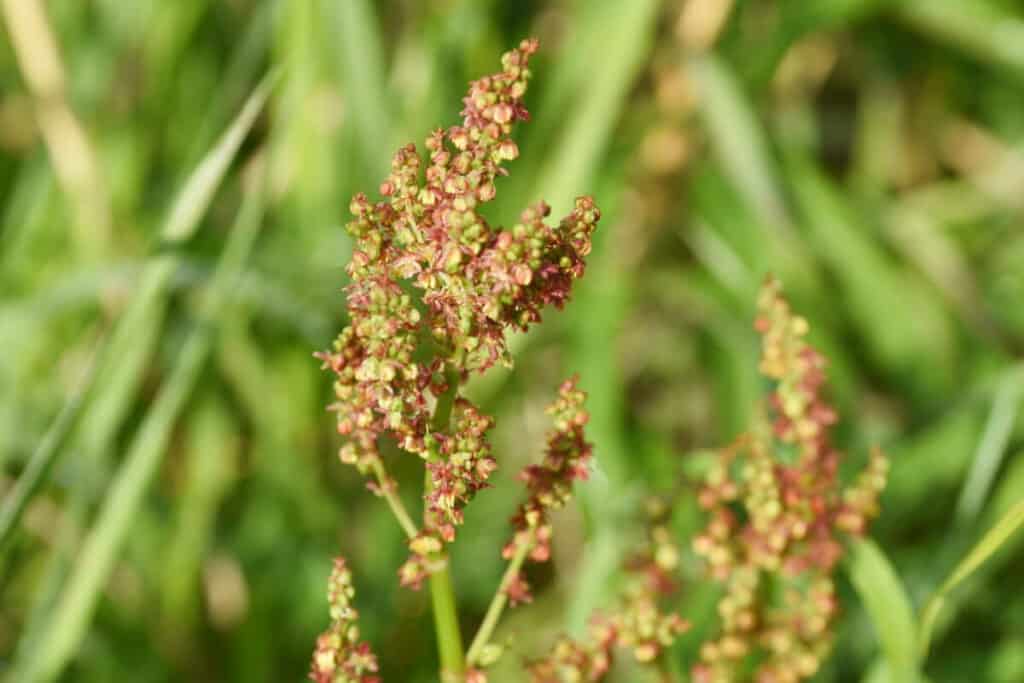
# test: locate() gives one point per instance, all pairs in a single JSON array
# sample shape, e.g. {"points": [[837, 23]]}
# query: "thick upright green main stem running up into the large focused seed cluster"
{"points": [[442, 592]]}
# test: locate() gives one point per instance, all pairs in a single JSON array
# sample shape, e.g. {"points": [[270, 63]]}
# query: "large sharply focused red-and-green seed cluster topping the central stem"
{"points": [[434, 291]]}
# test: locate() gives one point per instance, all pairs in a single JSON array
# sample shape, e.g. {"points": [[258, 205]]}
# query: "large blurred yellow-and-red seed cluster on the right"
{"points": [[777, 508]]}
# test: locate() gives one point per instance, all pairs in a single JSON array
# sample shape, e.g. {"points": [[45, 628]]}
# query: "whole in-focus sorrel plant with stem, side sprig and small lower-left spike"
{"points": [[435, 289]]}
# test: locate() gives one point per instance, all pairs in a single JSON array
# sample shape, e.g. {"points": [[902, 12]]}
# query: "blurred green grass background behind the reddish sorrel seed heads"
{"points": [[173, 252]]}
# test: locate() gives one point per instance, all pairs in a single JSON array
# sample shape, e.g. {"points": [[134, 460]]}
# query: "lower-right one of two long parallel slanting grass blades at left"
{"points": [[79, 601]]}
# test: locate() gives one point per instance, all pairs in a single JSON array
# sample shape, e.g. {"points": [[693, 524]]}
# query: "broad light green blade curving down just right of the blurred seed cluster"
{"points": [[889, 608]]}
